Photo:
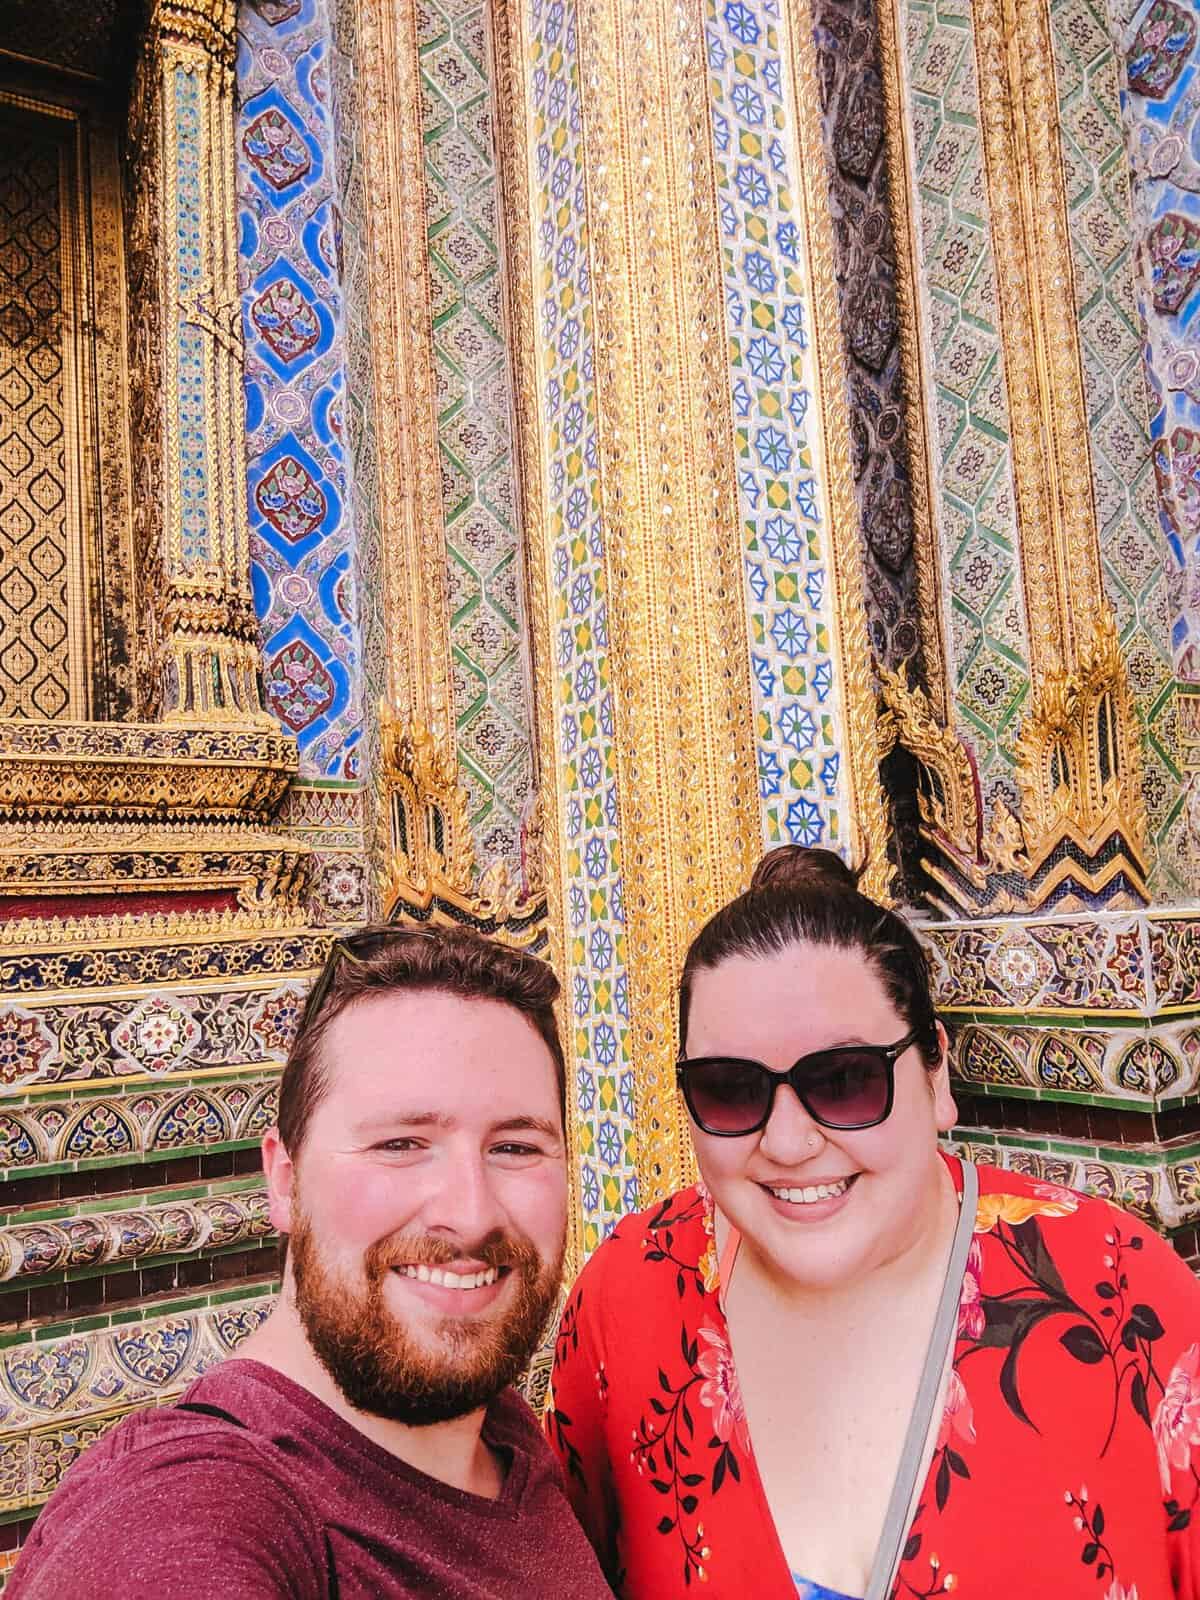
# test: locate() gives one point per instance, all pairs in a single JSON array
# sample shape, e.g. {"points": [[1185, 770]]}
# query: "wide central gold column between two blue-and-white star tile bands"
{"points": [[673, 543]]}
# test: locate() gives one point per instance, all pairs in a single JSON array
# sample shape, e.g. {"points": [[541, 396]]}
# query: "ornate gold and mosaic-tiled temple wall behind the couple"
{"points": [[666, 430]]}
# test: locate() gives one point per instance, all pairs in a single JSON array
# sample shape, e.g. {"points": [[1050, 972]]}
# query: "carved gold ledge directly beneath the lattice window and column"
{"points": [[129, 772]]}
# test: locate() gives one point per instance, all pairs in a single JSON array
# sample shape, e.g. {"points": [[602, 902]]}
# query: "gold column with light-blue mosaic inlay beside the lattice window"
{"points": [[191, 434]]}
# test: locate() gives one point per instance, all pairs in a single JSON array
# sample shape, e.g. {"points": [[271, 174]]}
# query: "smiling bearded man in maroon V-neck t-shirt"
{"points": [[367, 1439]]}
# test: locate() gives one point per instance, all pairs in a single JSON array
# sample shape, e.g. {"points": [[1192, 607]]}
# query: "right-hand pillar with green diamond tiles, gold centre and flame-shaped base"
{"points": [[1039, 750]]}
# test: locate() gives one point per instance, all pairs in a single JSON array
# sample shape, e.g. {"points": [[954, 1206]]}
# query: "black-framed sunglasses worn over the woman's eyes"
{"points": [[844, 1089]]}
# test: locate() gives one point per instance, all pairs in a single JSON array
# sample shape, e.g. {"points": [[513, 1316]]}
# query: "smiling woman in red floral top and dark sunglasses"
{"points": [[863, 1367]]}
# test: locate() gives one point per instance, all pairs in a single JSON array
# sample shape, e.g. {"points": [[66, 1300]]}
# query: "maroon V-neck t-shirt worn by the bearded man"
{"points": [[180, 1505]]}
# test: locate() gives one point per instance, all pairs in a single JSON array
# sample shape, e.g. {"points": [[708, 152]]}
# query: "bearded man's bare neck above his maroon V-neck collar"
{"points": [[454, 1452]]}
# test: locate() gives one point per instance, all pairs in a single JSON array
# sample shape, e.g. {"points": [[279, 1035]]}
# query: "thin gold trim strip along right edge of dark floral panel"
{"points": [[919, 415]]}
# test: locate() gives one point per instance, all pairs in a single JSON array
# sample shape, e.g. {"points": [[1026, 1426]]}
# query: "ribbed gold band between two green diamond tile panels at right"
{"points": [[1044, 377]]}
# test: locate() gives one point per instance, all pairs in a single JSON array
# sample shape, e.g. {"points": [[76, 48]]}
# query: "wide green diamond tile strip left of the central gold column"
{"points": [[486, 585]]}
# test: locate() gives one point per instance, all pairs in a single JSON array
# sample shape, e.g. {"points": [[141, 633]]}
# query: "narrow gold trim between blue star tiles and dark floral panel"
{"points": [[847, 604]]}
